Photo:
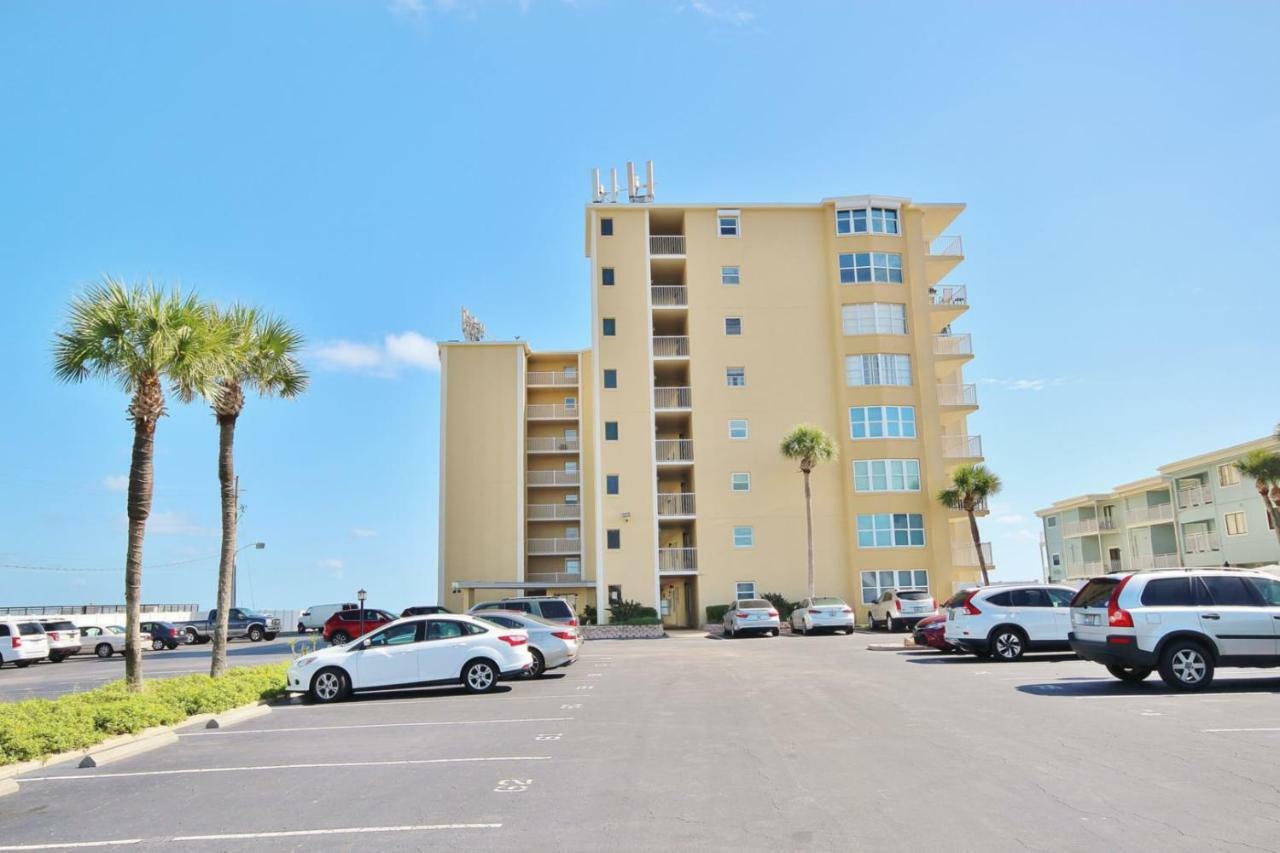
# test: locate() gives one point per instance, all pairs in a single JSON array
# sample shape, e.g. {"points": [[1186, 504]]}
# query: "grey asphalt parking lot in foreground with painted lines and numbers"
{"points": [[693, 742]]}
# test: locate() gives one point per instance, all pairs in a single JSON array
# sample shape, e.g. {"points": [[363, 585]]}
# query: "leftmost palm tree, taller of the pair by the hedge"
{"points": [[139, 337]]}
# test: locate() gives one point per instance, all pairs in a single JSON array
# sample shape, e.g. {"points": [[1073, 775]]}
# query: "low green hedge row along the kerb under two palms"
{"points": [[39, 728]]}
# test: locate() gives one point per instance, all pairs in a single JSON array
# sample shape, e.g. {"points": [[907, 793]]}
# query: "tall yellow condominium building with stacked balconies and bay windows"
{"points": [[647, 468]]}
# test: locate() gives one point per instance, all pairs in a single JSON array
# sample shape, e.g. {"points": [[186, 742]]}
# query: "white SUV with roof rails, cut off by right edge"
{"points": [[1183, 623]]}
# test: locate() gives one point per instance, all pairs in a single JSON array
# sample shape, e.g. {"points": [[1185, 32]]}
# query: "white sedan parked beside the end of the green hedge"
{"points": [[420, 651]]}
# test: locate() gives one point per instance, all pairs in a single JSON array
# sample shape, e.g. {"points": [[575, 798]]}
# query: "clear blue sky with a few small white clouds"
{"points": [[353, 166]]}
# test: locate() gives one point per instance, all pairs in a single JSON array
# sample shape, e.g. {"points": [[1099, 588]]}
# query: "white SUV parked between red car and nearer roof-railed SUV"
{"points": [[1009, 621]]}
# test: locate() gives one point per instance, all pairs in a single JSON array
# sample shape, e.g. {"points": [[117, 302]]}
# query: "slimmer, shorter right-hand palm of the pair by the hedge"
{"points": [[264, 358]]}
